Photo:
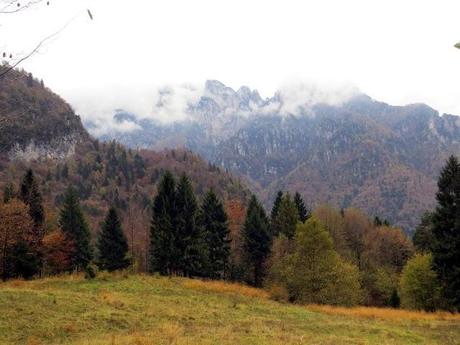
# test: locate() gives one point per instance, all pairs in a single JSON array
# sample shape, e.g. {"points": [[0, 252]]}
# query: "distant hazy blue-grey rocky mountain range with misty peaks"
{"points": [[351, 151]]}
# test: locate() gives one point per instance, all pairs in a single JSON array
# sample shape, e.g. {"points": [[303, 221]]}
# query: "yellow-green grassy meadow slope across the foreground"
{"points": [[148, 310]]}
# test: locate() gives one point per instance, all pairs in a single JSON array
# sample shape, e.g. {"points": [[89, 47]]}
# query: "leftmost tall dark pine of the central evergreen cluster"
{"points": [[162, 227]]}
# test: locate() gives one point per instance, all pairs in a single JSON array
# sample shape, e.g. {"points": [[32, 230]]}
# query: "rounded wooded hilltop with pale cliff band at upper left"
{"points": [[34, 121]]}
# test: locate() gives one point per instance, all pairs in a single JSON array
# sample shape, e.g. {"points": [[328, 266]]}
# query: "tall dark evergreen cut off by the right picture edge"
{"points": [[446, 232]]}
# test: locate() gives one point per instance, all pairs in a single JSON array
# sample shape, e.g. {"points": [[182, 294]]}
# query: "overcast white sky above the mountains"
{"points": [[398, 52]]}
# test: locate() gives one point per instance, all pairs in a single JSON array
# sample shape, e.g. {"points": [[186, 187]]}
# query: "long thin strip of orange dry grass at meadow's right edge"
{"points": [[384, 313]]}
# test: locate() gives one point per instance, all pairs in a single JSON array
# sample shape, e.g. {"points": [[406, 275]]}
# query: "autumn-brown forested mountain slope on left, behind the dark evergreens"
{"points": [[40, 131]]}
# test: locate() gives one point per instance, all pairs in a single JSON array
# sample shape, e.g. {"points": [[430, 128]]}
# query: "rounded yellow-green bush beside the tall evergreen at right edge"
{"points": [[419, 286]]}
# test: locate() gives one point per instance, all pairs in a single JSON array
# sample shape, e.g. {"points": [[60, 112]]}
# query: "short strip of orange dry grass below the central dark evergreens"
{"points": [[225, 287]]}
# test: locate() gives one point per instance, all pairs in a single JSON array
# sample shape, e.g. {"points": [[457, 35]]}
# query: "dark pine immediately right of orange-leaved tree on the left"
{"points": [[75, 227]]}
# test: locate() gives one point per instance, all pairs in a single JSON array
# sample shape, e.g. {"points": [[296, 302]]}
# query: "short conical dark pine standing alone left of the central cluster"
{"points": [[112, 244]]}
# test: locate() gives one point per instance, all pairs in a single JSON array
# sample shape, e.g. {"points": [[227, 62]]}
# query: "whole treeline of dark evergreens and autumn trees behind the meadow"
{"points": [[325, 255]]}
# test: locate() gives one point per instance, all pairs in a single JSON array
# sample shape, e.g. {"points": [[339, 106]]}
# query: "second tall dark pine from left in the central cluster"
{"points": [[190, 246]]}
